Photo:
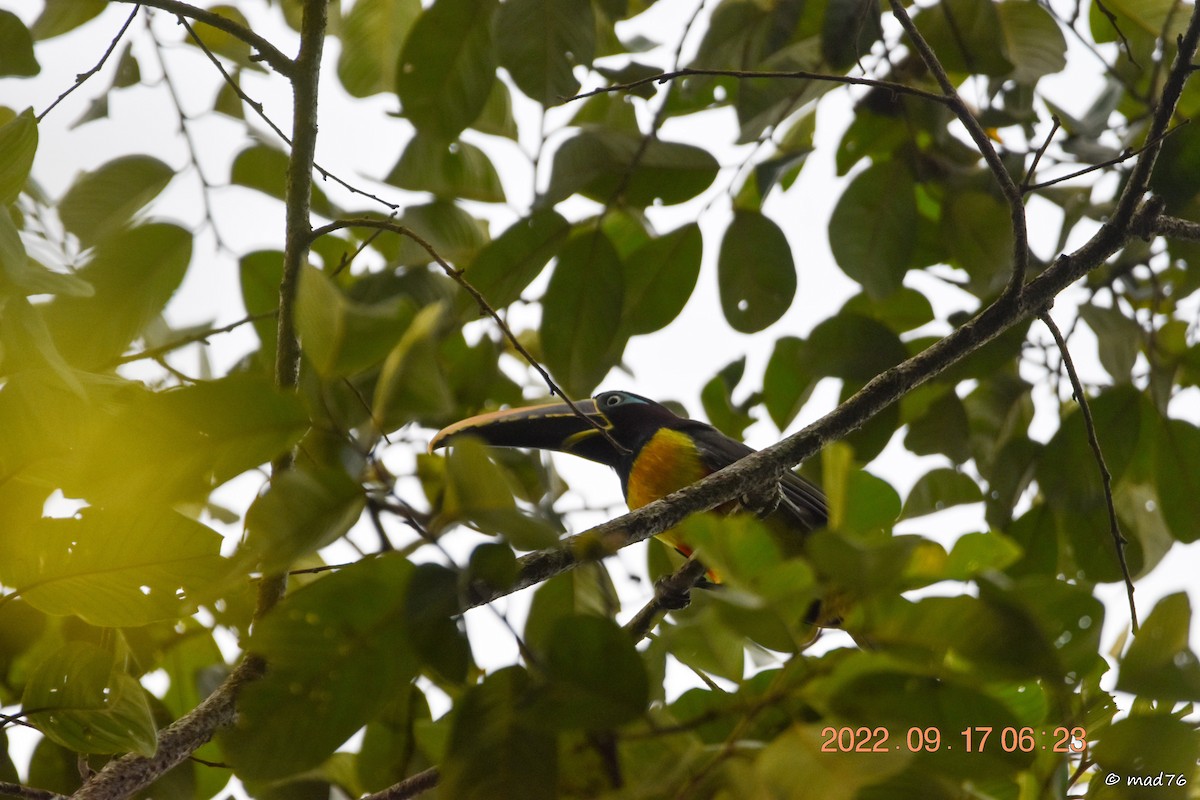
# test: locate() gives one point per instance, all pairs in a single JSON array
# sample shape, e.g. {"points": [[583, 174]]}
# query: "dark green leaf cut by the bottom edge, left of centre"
{"points": [[494, 754]]}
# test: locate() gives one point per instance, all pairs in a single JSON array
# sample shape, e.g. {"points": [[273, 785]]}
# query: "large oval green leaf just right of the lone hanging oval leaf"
{"points": [[873, 228]]}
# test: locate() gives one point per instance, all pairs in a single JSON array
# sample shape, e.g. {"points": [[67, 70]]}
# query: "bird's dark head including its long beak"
{"points": [[628, 418]]}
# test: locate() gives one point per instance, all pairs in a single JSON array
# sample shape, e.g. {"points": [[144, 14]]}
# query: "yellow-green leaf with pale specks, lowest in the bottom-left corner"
{"points": [[87, 705]]}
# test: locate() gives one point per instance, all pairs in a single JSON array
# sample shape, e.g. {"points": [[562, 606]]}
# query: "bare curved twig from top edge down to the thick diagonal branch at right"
{"points": [[983, 143]]}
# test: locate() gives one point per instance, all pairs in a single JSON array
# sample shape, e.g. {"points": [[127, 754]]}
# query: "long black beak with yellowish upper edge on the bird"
{"points": [[544, 428]]}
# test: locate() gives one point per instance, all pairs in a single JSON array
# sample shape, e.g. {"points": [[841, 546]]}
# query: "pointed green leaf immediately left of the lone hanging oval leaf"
{"points": [[659, 279]]}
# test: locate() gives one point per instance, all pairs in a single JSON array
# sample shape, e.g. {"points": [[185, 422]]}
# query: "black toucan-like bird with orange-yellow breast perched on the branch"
{"points": [[657, 453]]}
